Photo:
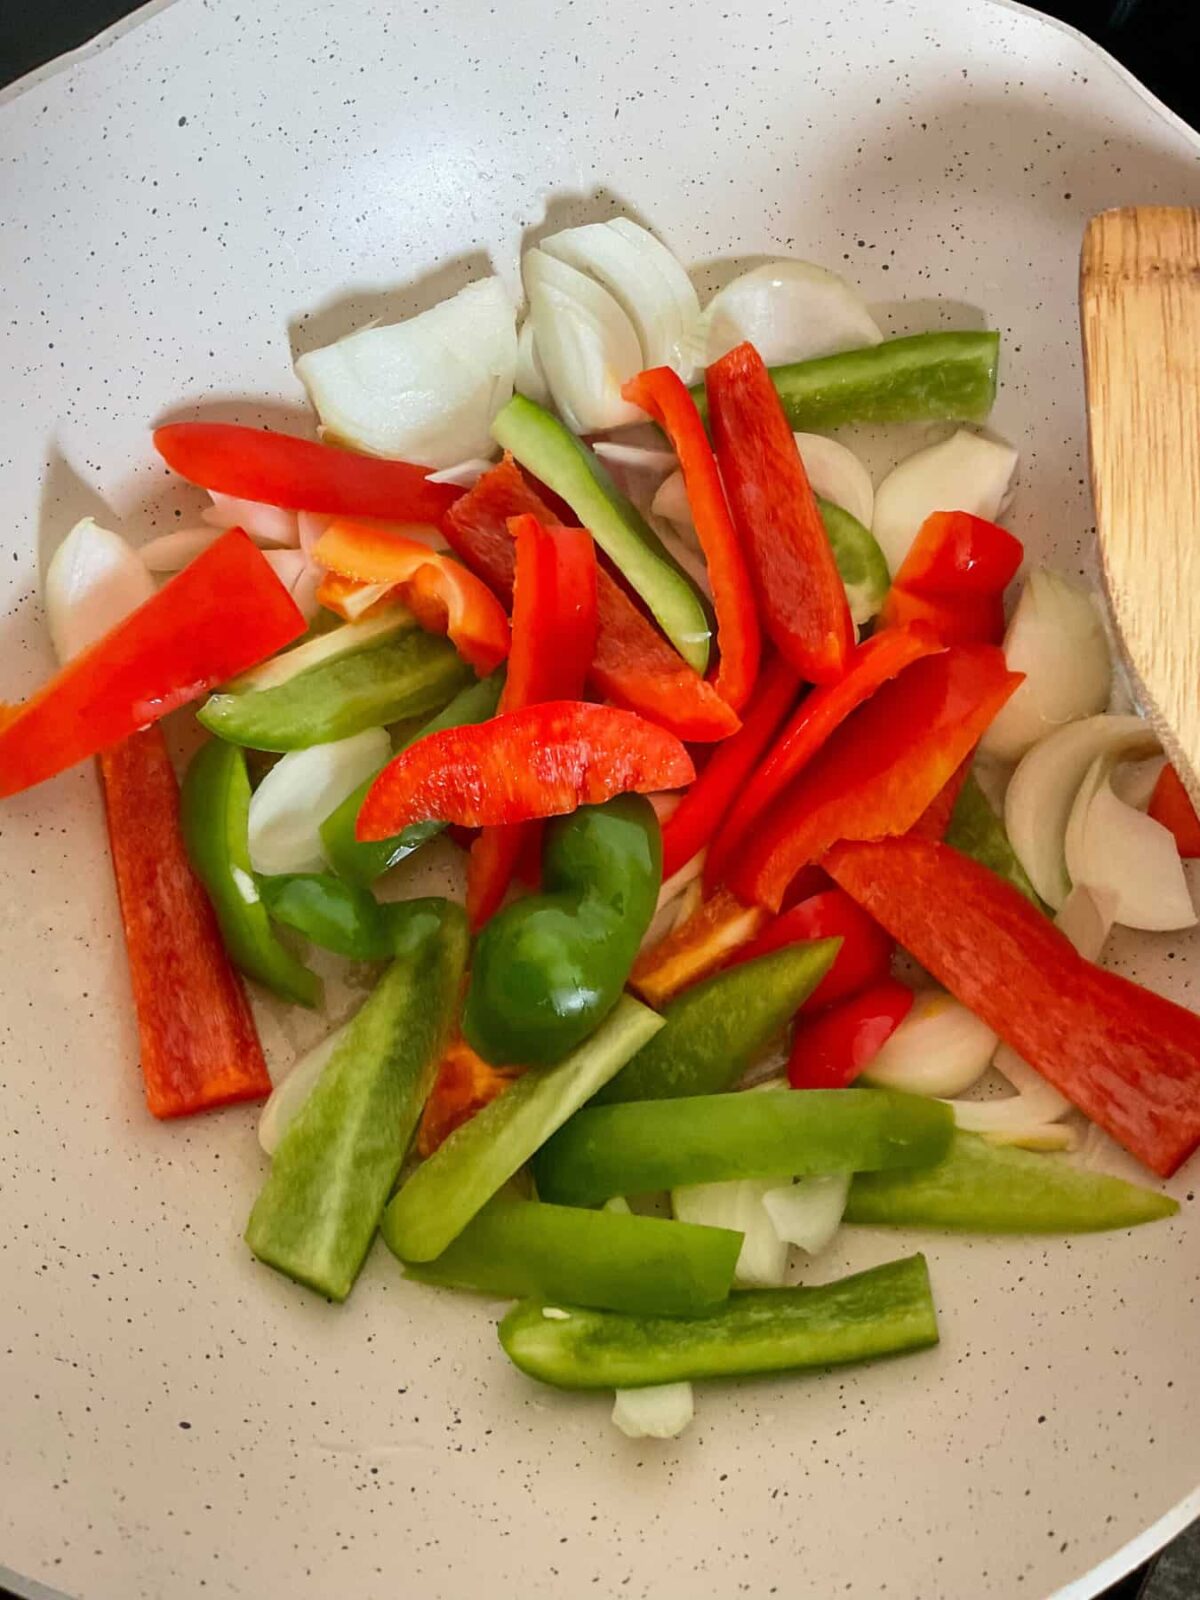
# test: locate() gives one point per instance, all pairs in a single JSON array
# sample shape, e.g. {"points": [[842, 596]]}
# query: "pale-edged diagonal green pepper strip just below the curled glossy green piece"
{"points": [[447, 1191]]}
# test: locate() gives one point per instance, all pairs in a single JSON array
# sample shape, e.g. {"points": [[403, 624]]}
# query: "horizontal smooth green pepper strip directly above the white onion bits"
{"points": [[711, 1138]]}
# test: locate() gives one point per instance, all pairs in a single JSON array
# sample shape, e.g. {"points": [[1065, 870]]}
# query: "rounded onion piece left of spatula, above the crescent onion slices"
{"points": [[1057, 639]]}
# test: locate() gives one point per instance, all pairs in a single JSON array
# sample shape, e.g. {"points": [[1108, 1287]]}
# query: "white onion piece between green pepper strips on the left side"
{"points": [[300, 791]]}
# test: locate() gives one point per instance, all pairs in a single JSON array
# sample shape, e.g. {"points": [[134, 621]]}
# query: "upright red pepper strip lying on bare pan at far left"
{"points": [[199, 1046]]}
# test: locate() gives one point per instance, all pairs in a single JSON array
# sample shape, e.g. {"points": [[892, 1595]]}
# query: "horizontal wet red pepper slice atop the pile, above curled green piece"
{"points": [[543, 761]]}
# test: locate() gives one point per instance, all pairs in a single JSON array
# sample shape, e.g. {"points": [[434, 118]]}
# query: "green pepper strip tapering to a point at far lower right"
{"points": [[982, 1188]]}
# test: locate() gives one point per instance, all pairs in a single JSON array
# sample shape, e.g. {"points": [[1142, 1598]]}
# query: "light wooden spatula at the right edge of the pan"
{"points": [[1140, 303]]}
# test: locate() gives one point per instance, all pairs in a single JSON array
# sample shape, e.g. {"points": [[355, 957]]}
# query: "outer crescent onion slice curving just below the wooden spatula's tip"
{"points": [[1044, 788]]}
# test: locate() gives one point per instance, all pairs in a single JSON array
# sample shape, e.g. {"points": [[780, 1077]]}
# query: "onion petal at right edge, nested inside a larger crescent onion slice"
{"points": [[1122, 854]]}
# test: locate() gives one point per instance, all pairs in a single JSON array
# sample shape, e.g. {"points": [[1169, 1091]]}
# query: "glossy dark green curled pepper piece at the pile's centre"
{"points": [[551, 967]]}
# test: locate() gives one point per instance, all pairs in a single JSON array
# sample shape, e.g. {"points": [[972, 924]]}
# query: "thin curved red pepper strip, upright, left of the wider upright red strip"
{"points": [[665, 396]]}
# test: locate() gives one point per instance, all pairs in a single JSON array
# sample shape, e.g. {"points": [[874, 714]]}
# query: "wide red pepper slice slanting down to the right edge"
{"points": [[1129, 1058]]}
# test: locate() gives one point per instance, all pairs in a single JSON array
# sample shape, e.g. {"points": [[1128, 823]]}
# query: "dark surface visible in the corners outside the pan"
{"points": [[1148, 36]]}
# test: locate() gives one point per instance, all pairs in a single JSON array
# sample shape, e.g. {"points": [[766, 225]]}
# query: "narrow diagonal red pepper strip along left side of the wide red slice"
{"points": [[815, 721]]}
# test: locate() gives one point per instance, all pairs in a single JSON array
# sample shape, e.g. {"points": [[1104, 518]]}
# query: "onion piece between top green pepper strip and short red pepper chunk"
{"points": [[964, 473]]}
